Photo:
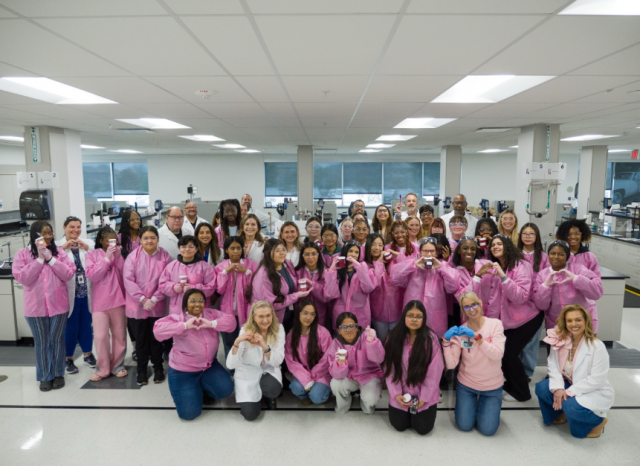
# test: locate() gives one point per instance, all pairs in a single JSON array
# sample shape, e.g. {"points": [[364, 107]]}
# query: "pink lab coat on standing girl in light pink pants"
{"points": [[106, 277]]}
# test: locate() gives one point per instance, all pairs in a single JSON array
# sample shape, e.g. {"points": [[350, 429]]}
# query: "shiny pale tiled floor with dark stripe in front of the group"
{"points": [[131, 427]]}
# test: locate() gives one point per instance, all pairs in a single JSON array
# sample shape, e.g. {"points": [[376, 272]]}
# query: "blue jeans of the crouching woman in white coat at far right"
{"points": [[581, 420]]}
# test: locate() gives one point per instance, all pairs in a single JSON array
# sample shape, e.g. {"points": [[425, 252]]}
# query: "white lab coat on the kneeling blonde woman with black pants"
{"points": [[249, 369]]}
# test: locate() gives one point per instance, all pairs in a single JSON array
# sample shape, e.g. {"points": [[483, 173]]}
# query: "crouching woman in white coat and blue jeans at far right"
{"points": [[577, 390]]}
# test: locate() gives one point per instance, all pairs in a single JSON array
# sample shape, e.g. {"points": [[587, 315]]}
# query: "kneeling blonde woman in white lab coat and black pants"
{"points": [[256, 357]]}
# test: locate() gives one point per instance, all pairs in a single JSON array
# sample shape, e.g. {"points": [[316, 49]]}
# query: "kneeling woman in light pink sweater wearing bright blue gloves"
{"points": [[480, 380]]}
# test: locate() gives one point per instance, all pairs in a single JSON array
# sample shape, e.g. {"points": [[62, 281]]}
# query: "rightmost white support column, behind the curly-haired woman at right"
{"points": [[593, 179]]}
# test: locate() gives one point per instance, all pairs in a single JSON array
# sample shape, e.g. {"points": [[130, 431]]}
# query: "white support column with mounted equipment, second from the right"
{"points": [[537, 143]]}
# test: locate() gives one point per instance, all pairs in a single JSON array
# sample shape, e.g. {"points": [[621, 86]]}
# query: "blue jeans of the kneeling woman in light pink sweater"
{"points": [[481, 408]]}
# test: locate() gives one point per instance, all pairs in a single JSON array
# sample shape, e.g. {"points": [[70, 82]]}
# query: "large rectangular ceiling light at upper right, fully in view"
{"points": [[489, 88]]}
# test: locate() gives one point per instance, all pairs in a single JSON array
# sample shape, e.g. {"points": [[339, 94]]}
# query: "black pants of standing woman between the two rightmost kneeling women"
{"points": [[516, 383]]}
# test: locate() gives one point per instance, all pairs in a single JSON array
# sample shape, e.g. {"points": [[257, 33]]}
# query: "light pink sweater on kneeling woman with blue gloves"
{"points": [[481, 366]]}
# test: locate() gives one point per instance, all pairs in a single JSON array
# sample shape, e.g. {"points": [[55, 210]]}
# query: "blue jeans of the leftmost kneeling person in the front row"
{"points": [[187, 388]]}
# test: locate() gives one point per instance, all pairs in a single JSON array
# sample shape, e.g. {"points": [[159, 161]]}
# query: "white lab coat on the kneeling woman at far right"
{"points": [[590, 384]]}
